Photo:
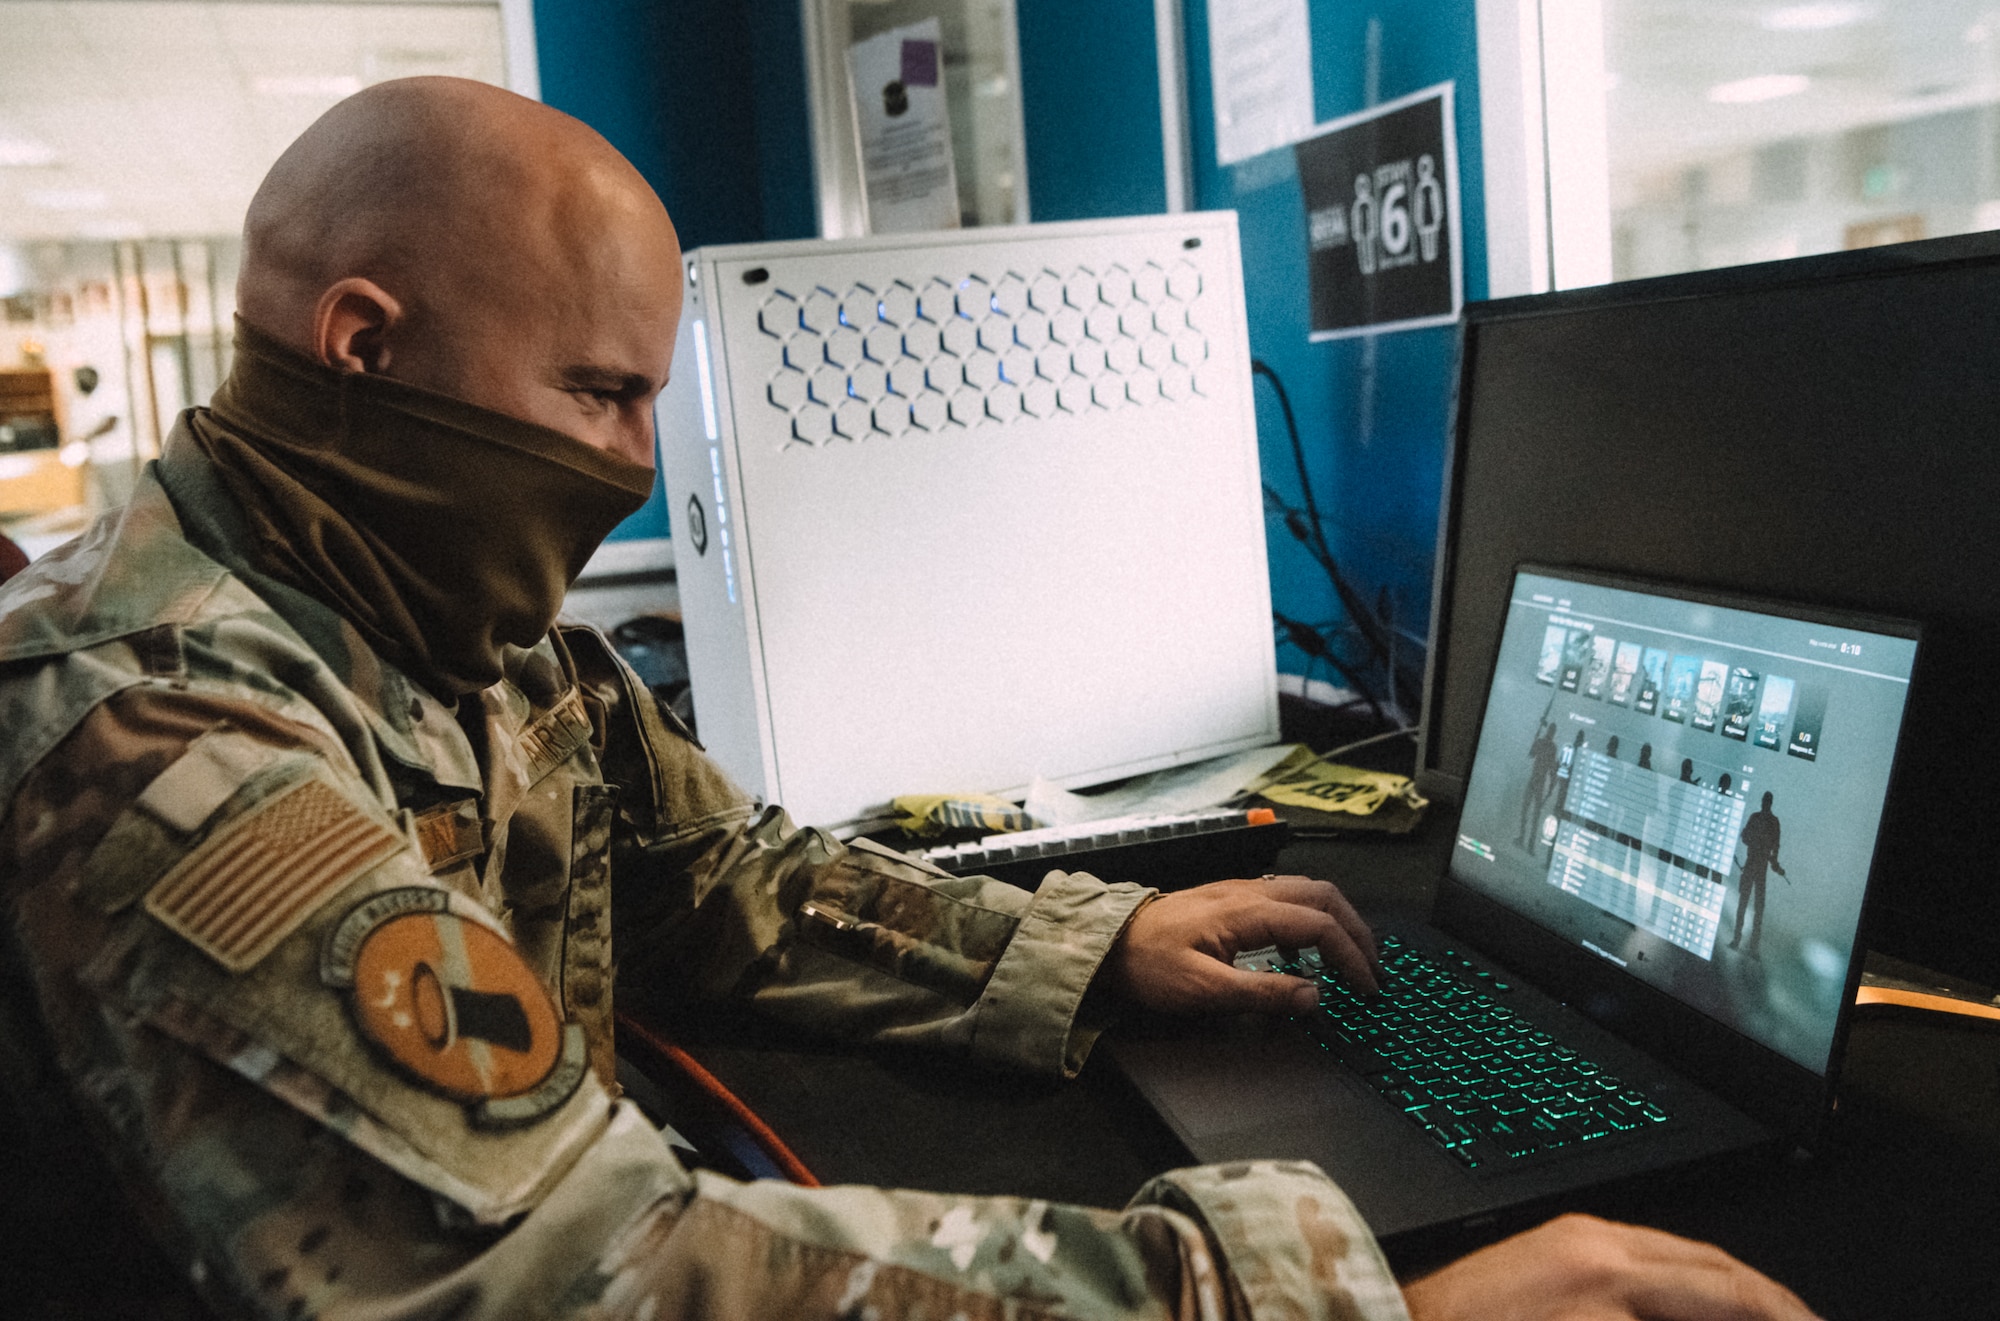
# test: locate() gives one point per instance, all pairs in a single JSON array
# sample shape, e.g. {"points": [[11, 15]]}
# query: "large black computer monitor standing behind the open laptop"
{"points": [[1817, 431]]}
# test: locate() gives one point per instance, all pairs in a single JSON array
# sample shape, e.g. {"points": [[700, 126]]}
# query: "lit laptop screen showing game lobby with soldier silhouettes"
{"points": [[1689, 792]]}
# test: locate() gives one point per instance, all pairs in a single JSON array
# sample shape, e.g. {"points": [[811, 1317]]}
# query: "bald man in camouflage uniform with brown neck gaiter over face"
{"points": [[321, 840]]}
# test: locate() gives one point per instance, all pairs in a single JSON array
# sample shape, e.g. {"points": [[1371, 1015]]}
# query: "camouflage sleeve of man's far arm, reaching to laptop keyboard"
{"points": [[717, 896]]}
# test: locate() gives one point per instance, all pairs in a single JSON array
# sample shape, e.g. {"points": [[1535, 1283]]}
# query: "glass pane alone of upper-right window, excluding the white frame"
{"points": [[1745, 133]]}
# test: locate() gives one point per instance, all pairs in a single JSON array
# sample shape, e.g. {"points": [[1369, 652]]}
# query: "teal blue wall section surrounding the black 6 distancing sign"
{"points": [[1375, 421]]}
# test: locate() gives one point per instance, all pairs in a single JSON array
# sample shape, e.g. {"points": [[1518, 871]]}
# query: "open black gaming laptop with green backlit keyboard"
{"points": [[1645, 946]]}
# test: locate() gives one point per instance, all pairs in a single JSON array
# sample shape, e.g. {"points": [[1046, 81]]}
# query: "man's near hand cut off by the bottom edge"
{"points": [[1587, 1270]]}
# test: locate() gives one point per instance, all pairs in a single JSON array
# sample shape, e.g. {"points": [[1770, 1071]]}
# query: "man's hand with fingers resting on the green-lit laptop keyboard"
{"points": [[1177, 954]]}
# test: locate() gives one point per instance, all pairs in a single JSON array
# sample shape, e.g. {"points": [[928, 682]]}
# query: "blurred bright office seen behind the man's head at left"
{"points": [[133, 135]]}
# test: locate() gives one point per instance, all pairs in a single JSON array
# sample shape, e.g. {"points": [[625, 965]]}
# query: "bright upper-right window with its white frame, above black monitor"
{"points": [[1633, 139]]}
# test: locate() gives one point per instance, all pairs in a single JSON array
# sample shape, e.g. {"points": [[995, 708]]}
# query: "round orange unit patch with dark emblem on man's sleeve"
{"points": [[447, 998]]}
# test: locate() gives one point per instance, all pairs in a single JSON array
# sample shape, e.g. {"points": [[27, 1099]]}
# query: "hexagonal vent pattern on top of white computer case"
{"points": [[935, 355]]}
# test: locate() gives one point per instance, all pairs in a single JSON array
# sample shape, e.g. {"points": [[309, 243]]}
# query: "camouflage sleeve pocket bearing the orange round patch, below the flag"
{"points": [[403, 1020]]}
